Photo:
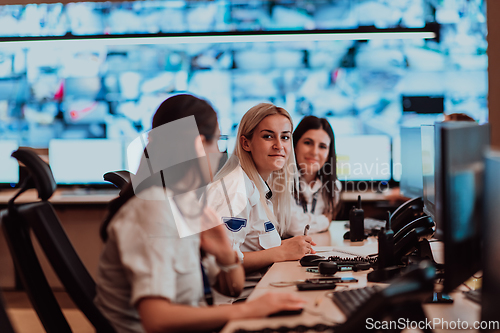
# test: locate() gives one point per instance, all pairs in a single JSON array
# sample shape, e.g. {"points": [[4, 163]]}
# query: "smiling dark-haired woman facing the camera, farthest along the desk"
{"points": [[317, 198]]}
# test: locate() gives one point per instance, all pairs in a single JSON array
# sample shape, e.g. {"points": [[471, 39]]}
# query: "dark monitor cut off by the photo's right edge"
{"points": [[490, 295]]}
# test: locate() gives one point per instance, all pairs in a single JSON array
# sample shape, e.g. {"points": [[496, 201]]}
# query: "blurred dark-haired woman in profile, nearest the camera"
{"points": [[150, 277]]}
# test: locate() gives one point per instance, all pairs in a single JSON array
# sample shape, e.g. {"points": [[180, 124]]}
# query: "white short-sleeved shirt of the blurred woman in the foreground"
{"points": [[144, 256]]}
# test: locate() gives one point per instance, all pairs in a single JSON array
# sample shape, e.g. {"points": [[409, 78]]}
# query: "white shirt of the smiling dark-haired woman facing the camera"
{"points": [[313, 214]]}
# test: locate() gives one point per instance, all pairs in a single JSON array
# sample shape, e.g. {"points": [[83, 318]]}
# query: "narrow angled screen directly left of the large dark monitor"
{"points": [[428, 169]]}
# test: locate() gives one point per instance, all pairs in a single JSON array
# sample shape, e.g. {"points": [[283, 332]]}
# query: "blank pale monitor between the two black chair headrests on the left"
{"points": [[84, 161]]}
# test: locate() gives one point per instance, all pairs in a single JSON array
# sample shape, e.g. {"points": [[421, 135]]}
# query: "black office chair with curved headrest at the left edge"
{"points": [[41, 218]]}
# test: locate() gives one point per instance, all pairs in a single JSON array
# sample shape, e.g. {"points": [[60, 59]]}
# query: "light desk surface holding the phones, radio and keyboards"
{"points": [[327, 312]]}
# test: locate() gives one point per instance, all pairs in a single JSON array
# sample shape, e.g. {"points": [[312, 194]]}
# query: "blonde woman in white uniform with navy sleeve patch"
{"points": [[252, 191]]}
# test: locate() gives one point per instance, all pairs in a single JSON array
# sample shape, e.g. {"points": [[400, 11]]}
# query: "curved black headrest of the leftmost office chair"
{"points": [[39, 171]]}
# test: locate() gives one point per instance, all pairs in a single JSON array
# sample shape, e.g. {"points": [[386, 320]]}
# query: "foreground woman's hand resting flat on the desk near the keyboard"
{"points": [[270, 303]]}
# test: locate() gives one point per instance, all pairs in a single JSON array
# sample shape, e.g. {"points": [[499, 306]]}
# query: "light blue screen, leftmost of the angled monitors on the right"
{"points": [[410, 183]]}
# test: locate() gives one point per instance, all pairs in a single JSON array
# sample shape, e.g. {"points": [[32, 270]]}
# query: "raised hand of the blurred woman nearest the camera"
{"points": [[215, 240]]}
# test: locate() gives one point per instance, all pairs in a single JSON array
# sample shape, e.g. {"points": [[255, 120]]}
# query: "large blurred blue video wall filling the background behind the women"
{"points": [[60, 90]]}
